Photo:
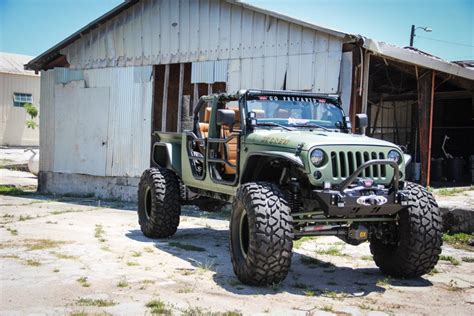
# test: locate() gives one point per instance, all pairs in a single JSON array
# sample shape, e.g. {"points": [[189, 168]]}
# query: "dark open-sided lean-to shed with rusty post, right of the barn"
{"points": [[414, 99]]}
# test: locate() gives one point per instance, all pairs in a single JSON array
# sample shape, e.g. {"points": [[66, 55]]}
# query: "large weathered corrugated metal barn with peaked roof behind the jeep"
{"points": [[108, 86]]}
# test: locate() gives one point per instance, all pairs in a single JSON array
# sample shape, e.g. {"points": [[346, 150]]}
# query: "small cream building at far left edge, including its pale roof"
{"points": [[17, 86]]}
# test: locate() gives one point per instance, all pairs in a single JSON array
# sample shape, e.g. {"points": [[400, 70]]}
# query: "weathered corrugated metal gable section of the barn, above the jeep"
{"points": [[260, 48]]}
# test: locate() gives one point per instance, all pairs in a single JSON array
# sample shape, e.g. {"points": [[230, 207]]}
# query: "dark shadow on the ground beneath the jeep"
{"points": [[208, 248]]}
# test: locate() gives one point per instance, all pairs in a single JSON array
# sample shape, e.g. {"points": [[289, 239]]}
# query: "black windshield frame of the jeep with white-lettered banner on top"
{"points": [[293, 96]]}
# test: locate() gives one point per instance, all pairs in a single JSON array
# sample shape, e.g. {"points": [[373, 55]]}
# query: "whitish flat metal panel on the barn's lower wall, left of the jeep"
{"points": [[125, 113]]}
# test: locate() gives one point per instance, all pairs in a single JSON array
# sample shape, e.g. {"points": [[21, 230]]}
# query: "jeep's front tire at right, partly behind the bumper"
{"points": [[419, 238]]}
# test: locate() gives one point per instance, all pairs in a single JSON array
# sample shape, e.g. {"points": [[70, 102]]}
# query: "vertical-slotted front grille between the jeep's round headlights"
{"points": [[345, 163]]}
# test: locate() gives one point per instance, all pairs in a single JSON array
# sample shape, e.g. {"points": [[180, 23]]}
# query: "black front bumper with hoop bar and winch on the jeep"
{"points": [[361, 200]]}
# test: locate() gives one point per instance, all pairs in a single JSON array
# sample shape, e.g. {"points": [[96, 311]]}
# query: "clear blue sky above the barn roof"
{"points": [[32, 26]]}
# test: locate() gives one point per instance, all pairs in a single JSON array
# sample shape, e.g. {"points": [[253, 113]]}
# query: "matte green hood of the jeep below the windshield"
{"points": [[291, 139]]}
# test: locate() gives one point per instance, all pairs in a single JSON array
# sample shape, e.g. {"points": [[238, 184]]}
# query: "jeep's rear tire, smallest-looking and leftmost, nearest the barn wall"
{"points": [[158, 203]]}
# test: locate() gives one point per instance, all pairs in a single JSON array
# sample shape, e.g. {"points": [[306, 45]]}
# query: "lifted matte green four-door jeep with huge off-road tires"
{"points": [[291, 167]]}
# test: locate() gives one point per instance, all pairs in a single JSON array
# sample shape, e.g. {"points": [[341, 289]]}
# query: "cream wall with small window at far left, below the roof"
{"points": [[13, 130]]}
